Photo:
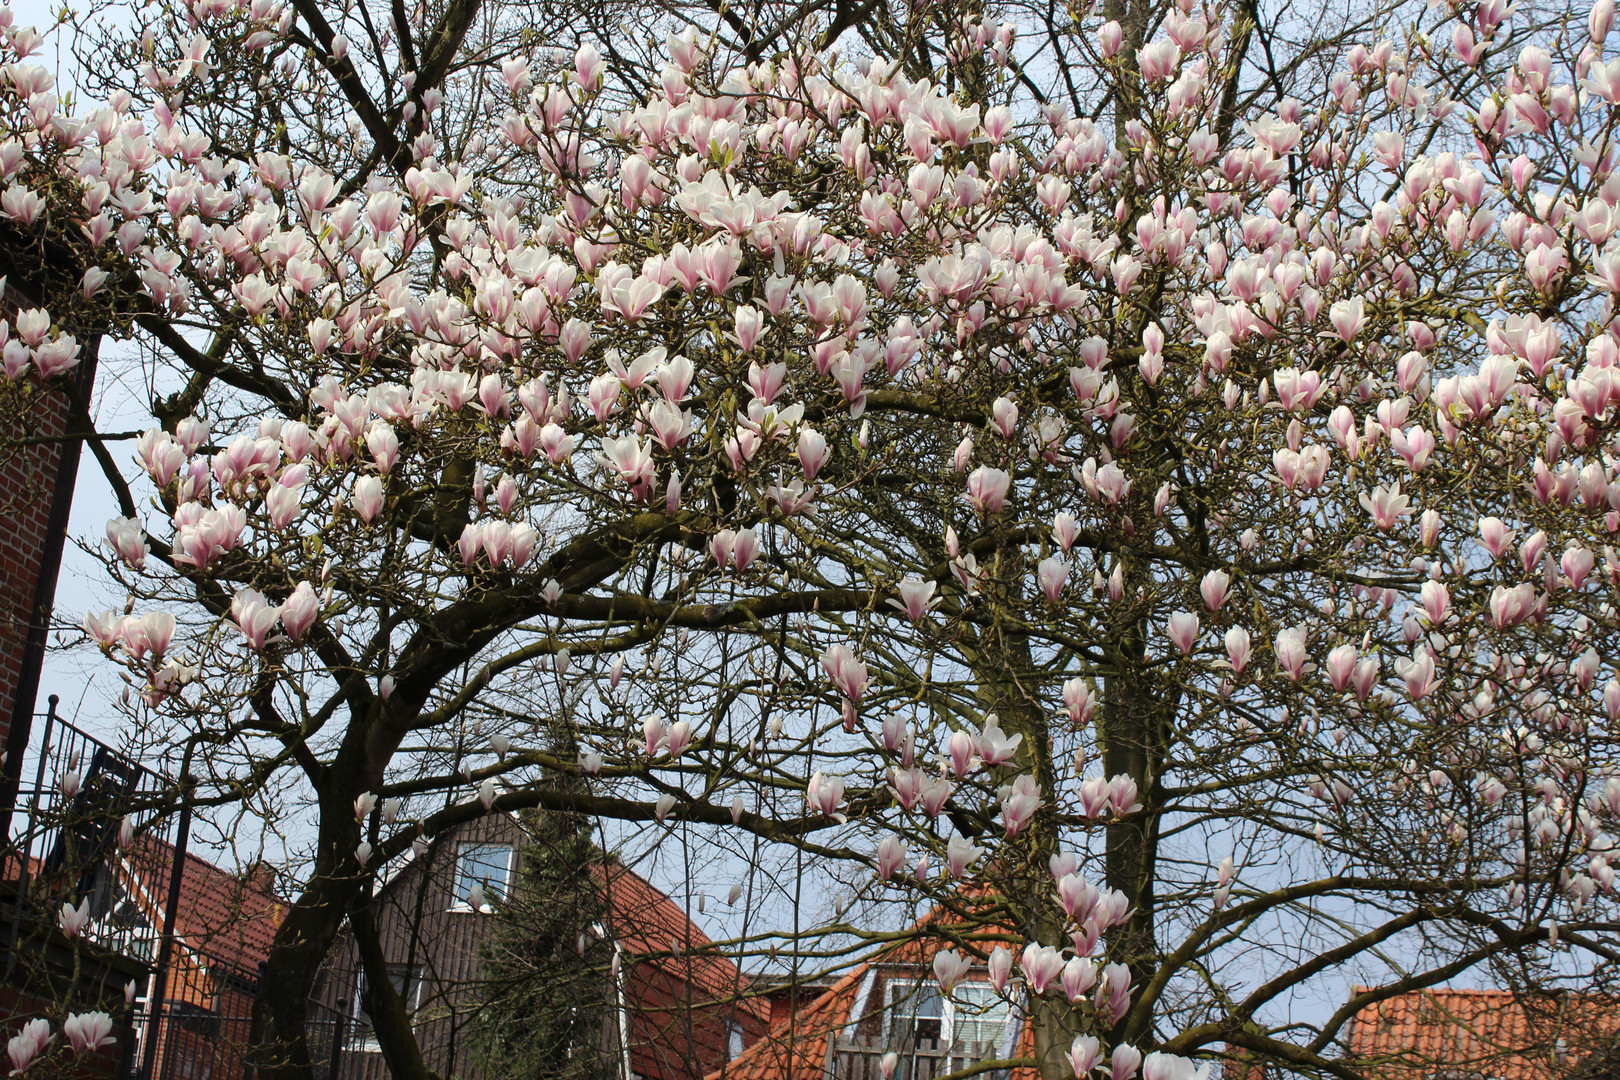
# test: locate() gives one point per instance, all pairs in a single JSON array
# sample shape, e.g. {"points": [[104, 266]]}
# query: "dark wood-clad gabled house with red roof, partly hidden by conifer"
{"points": [[681, 1011]]}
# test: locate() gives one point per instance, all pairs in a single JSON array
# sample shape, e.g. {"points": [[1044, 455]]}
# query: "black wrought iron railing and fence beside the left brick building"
{"points": [[192, 1018]]}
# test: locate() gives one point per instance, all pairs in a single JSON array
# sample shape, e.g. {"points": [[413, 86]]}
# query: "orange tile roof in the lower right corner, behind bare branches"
{"points": [[1480, 1034]]}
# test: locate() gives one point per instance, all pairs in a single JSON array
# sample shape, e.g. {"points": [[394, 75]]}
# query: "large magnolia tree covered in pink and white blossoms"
{"points": [[1164, 475]]}
